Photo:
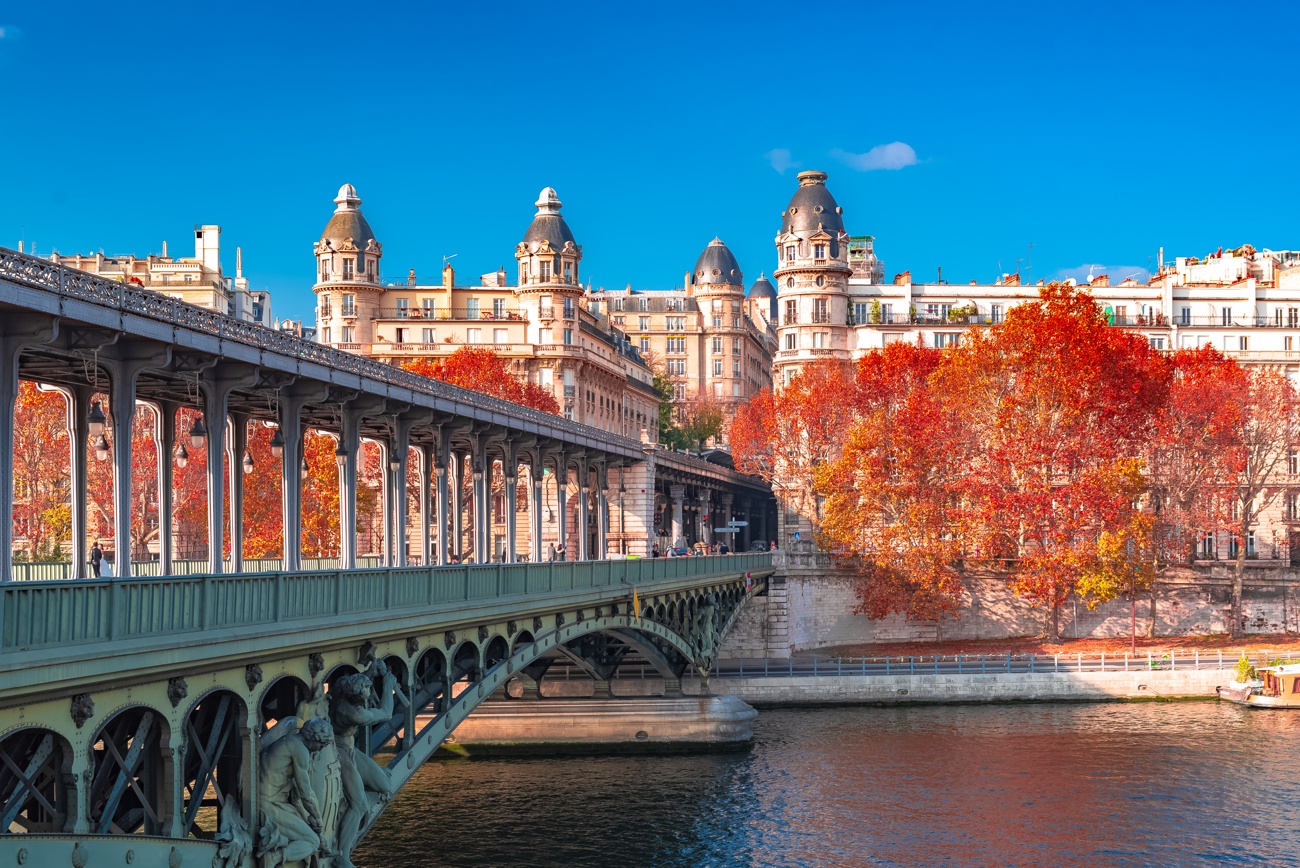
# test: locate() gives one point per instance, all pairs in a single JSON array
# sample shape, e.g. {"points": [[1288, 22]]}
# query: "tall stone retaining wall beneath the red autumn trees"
{"points": [[811, 606]]}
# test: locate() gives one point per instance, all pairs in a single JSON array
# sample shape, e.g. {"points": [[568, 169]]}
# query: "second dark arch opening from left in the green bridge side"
{"points": [[131, 774]]}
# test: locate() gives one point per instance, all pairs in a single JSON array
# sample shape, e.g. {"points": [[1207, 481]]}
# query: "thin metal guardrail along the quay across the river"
{"points": [[972, 665]]}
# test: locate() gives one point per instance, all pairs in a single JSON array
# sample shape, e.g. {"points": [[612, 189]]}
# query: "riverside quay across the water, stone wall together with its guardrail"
{"points": [[931, 680]]}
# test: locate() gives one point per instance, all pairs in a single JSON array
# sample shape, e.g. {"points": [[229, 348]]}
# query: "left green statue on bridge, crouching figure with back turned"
{"points": [[292, 815]]}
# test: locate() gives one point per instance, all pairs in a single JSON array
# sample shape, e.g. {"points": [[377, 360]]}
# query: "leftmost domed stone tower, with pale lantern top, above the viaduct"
{"points": [[348, 275]]}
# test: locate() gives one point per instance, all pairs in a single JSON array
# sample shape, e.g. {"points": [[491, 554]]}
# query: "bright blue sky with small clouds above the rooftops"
{"points": [[957, 134]]}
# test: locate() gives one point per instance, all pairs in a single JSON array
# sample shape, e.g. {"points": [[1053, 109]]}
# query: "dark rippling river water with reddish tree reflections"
{"points": [[1121, 784]]}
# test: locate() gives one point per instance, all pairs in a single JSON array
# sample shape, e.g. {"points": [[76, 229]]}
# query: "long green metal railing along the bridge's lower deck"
{"points": [[60, 613]]}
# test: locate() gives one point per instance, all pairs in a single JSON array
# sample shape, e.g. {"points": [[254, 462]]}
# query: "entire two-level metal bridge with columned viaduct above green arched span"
{"points": [[235, 718]]}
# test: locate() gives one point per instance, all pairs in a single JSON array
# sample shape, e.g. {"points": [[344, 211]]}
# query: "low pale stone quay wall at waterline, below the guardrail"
{"points": [[1063, 687]]}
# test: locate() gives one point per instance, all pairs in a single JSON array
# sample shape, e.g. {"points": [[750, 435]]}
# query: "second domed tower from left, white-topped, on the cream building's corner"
{"points": [[549, 287]]}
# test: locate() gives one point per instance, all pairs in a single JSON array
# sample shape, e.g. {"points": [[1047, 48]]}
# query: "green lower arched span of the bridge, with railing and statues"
{"points": [[141, 717]]}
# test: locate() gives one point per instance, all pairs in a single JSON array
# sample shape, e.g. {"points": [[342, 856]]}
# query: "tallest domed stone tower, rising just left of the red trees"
{"points": [[812, 280]]}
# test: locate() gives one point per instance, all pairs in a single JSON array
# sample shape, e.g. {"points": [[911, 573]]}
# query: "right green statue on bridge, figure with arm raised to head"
{"points": [[353, 706]]}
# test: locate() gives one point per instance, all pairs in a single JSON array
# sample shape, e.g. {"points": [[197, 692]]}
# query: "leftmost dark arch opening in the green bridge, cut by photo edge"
{"points": [[37, 784]]}
